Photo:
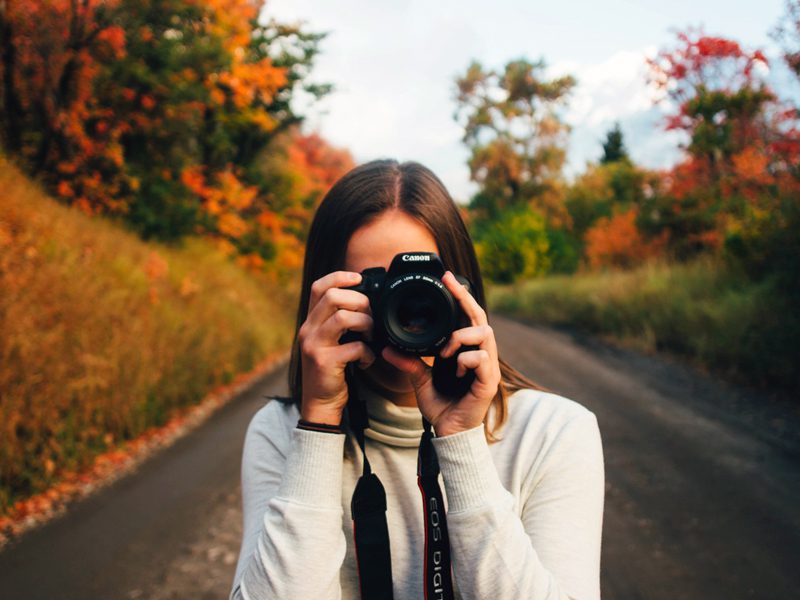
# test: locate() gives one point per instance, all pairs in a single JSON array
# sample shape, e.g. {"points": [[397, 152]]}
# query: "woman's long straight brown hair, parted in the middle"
{"points": [[359, 197]]}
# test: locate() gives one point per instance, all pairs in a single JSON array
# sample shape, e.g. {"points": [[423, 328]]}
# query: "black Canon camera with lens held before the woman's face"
{"points": [[414, 312]]}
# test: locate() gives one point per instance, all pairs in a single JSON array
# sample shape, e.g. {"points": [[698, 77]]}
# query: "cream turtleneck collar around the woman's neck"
{"points": [[389, 423]]}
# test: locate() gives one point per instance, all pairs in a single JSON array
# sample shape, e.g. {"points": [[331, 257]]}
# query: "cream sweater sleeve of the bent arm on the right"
{"points": [[553, 549]]}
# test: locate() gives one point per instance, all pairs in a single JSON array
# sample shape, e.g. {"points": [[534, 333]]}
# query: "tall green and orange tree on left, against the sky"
{"points": [[218, 91]]}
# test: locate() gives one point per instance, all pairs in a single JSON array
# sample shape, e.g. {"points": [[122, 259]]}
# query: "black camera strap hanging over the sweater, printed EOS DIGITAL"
{"points": [[368, 506]]}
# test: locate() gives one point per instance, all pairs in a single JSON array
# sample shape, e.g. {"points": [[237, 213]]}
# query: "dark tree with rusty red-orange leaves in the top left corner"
{"points": [[50, 118]]}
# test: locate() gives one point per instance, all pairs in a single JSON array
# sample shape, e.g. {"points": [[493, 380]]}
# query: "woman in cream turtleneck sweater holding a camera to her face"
{"points": [[522, 468]]}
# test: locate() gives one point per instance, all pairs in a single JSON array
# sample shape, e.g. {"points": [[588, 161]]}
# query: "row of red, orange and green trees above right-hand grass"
{"points": [[734, 194]]}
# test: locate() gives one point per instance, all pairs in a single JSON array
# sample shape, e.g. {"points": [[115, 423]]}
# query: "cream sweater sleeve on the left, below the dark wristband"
{"points": [[293, 545]]}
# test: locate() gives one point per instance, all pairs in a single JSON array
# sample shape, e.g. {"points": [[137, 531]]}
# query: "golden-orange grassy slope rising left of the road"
{"points": [[103, 336]]}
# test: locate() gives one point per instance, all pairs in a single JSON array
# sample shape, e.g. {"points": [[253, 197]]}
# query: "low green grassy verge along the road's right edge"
{"points": [[703, 311]]}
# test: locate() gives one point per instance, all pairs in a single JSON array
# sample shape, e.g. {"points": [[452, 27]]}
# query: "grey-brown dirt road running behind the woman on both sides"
{"points": [[702, 490]]}
